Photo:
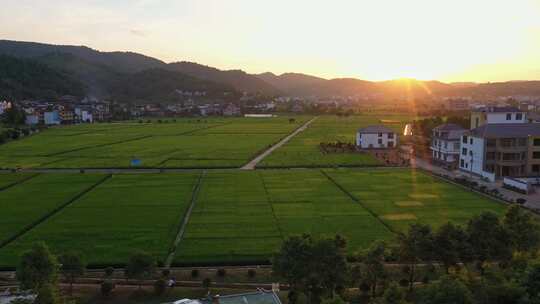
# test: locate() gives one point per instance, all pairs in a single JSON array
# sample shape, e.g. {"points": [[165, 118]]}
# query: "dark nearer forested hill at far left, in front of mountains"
{"points": [[26, 78]]}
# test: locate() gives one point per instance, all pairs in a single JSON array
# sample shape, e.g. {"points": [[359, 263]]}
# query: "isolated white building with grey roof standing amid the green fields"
{"points": [[376, 137]]}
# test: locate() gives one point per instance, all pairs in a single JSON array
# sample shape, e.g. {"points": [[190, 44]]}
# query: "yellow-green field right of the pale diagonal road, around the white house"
{"points": [[303, 150]]}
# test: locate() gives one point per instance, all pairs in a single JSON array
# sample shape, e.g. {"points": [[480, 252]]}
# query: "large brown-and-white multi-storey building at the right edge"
{"points": [[498, 150]]}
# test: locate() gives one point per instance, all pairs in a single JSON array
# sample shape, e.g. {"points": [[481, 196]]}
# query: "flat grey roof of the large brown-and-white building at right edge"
{"points": [[506, 130]]}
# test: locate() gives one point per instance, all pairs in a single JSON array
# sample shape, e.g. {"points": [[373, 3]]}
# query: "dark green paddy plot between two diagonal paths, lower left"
{"points": [[124, 214]]}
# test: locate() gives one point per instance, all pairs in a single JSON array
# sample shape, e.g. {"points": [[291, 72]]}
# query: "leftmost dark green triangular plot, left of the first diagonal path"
{"points": [[26, 203]]}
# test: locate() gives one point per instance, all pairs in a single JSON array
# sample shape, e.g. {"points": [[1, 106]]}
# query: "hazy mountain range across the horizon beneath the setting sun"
{"points": [[129, 76]]}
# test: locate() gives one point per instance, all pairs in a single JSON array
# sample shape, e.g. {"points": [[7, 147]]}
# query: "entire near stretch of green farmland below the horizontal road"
{"points": [[238, 217]]}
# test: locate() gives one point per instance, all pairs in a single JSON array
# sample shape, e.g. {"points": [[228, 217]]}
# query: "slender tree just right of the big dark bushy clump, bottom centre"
{"points": [[372, 269]]}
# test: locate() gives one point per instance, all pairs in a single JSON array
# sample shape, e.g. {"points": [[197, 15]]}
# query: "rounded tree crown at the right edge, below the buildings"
{"points": [[523, 231]]}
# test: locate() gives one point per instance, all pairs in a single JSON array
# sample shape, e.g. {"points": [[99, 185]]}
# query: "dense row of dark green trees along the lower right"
{"points": [[475, 262]]}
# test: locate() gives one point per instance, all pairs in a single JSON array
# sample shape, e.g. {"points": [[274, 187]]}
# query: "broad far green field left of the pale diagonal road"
{"points": [[187, 143]]}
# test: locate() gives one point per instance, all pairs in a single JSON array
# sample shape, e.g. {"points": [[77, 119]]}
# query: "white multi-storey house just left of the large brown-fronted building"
{"points": [[445, 145]]}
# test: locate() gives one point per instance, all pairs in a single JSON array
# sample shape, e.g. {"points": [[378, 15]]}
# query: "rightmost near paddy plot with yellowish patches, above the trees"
{"points": [[400, 197]]}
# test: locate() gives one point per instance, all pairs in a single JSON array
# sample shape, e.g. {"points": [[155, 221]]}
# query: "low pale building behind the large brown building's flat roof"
{"points": [[497, 115]]}
